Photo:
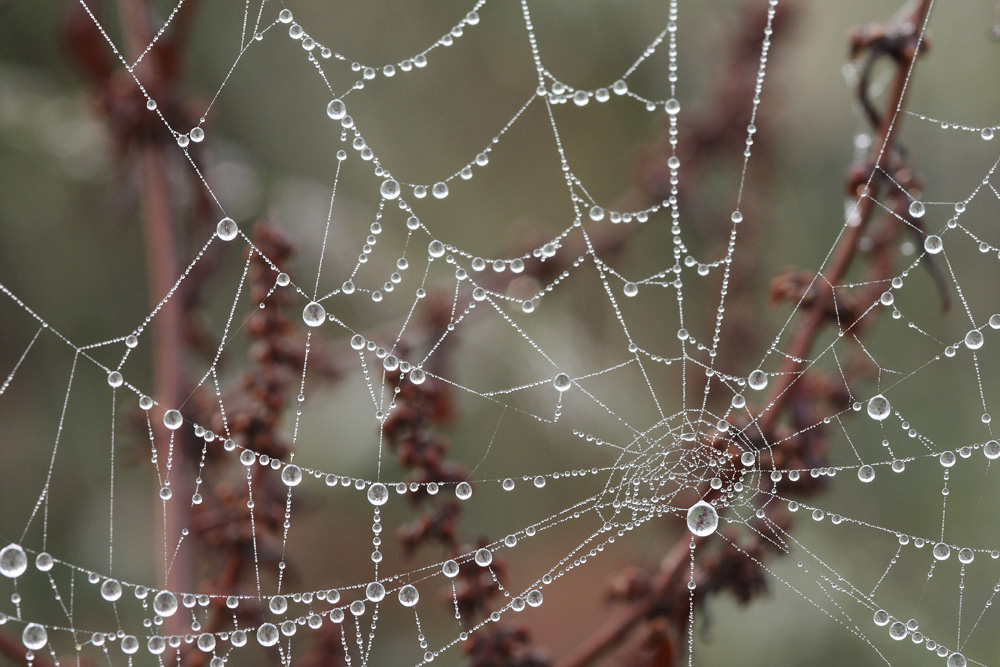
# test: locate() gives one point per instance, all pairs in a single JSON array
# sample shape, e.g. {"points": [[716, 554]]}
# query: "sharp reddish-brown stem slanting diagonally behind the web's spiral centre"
{"points": [[676, 562]]}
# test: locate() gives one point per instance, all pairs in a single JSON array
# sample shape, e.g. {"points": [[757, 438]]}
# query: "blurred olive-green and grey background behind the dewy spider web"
{"points": [[75, 249]]}
